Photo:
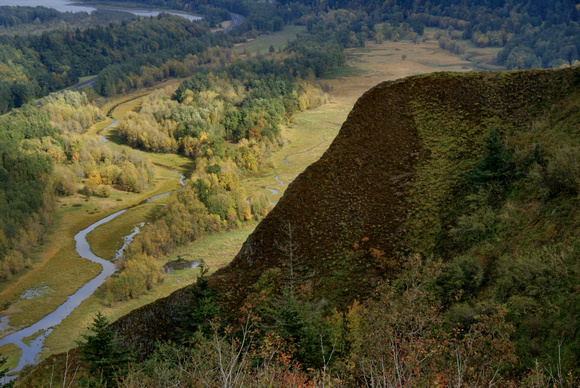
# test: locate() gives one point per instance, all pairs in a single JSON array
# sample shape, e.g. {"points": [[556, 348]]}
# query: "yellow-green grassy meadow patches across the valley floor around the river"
{"points": [[59, 271]]}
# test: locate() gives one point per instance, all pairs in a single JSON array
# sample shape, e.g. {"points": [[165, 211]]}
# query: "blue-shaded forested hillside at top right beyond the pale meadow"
{"points": [[532, 34]]}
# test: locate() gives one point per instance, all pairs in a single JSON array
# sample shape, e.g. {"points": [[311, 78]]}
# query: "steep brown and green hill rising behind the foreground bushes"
{"points": [[478, 170]]}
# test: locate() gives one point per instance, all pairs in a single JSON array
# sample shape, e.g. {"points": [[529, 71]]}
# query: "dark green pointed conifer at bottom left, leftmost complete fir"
{"points": [[102, 352]]}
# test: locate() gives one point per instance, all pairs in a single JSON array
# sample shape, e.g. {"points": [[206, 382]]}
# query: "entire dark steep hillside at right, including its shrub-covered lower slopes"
{"points": [[476, 176]]}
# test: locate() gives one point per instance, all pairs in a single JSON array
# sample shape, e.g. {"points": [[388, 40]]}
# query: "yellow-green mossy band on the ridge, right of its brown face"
{"points": [[453, 113]]}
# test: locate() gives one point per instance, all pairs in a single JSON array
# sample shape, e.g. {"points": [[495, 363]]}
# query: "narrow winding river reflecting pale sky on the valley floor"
{"points": [[42, 328]]}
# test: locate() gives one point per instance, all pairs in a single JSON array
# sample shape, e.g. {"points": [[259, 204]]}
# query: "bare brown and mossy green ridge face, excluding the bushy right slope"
{"points": [[390, 179]]}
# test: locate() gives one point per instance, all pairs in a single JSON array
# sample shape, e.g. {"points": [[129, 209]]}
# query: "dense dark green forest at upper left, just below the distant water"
{"points": [[38, 64]]}
